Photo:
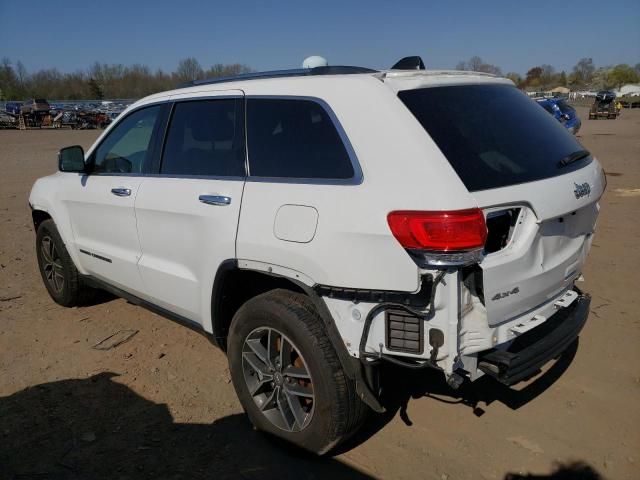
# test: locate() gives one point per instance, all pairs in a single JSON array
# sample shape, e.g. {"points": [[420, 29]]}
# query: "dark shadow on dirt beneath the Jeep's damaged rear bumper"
{"points": [[403, 385]]}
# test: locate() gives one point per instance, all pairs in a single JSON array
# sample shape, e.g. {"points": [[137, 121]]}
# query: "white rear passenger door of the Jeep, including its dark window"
{"points": [[187, 212]]}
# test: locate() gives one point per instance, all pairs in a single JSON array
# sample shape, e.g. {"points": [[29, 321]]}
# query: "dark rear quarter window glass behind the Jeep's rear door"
{"points": [[294, 138]]}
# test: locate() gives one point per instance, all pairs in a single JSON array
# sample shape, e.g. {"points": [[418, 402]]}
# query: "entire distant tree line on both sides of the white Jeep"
{"points": [[103, 80]]}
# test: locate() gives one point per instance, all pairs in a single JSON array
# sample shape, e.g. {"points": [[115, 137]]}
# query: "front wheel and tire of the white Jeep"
{"points": [[59, 274]]}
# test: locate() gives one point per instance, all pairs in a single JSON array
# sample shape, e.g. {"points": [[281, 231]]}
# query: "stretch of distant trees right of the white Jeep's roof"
{"points": [[583, 76]]}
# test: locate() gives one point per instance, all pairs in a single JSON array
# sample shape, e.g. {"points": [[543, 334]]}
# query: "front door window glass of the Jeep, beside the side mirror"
{"points": [[126, 147]]}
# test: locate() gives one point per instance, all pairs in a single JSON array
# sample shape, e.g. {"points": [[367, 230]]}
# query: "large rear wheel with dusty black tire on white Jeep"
{"points": [[334, 413]]}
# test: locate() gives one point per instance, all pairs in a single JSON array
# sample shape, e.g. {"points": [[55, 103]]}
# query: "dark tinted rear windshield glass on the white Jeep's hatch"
{"points": [[493, 135]]}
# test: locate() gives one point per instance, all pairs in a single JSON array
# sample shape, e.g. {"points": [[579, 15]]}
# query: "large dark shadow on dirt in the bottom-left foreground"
{"points": [[98, 428]]}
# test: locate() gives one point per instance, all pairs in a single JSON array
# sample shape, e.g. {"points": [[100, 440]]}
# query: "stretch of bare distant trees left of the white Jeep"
{"points": [[103, 80]]}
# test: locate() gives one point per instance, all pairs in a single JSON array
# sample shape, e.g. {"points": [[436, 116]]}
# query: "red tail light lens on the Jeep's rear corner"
{"points": [[453, 231]]}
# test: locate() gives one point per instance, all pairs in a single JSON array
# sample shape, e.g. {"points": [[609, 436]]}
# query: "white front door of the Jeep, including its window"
{"points": [[101, 205]]}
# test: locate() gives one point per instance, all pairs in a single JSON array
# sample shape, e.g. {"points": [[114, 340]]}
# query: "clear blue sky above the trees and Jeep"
{"points": [[514, 35]]}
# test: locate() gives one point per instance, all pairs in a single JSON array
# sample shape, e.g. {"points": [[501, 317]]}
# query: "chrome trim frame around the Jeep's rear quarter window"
{"points": [[357, 177]]}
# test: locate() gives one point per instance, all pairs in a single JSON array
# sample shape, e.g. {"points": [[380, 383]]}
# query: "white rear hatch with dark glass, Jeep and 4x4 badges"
{"points": [[537, 185]]}
